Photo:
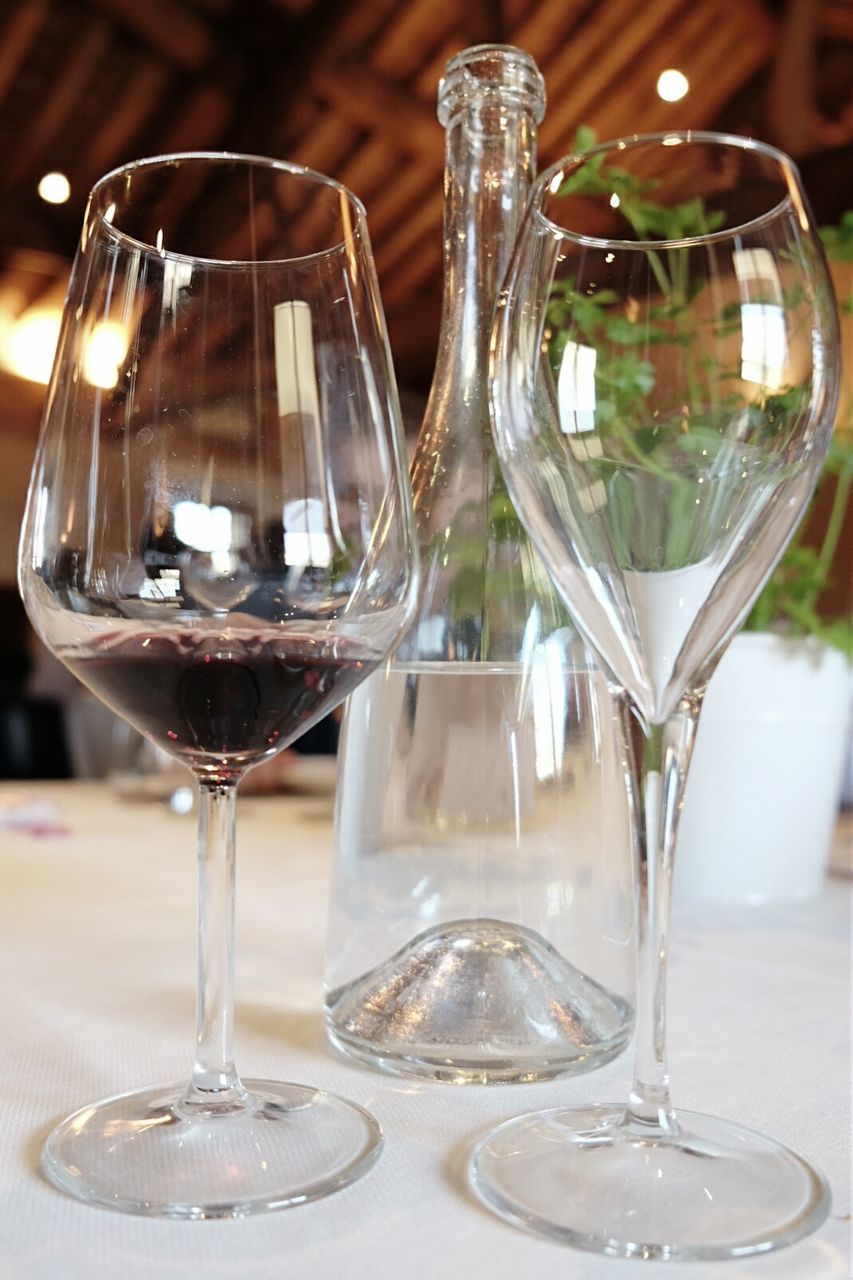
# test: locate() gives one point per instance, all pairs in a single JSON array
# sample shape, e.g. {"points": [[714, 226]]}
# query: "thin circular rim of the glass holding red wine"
{"points": [[248, 159]]}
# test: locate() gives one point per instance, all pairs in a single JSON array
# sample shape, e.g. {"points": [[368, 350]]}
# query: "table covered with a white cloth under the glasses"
{"points": [[97, 934]]}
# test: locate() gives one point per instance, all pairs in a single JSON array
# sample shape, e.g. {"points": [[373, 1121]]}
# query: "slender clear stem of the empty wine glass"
{"points": [[662, 758]]}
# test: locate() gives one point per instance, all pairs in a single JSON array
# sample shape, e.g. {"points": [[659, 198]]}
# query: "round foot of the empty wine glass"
{"points": [[711, 1191]]}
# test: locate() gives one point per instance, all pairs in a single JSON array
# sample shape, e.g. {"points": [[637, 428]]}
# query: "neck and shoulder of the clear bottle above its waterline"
{"points": [[478, 587]]}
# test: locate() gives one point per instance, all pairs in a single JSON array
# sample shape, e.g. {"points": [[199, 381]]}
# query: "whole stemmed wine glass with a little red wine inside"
{"points": [[220, 545]]}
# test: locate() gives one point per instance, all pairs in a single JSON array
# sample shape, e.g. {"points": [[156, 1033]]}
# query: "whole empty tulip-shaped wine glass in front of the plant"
{"points": [[664, 380]]}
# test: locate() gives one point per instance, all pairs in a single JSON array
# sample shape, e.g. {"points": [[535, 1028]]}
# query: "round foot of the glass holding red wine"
{"points": [[145, 1153]]}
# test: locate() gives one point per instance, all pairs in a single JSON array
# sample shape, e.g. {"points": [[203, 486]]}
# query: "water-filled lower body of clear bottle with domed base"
{"points": [[469, 880]]}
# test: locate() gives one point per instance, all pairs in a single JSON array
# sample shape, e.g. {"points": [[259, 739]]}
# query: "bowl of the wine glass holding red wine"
{"points": [[200, 486]]}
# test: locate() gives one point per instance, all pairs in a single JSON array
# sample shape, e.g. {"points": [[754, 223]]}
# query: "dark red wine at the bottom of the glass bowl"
{"points": [[221, 703]]}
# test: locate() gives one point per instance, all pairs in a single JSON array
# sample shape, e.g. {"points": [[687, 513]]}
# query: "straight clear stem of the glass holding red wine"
{"points": [[215, 1077]]}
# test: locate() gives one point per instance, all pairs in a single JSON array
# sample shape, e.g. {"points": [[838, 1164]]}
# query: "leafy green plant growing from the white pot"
{"points": [[665, 454]]}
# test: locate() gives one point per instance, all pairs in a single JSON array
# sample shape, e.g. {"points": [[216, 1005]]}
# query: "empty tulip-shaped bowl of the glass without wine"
{"points": [[667, 412]]}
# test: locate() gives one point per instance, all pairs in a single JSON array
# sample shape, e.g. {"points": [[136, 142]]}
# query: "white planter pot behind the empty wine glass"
{"points": [[763, 794]]}
